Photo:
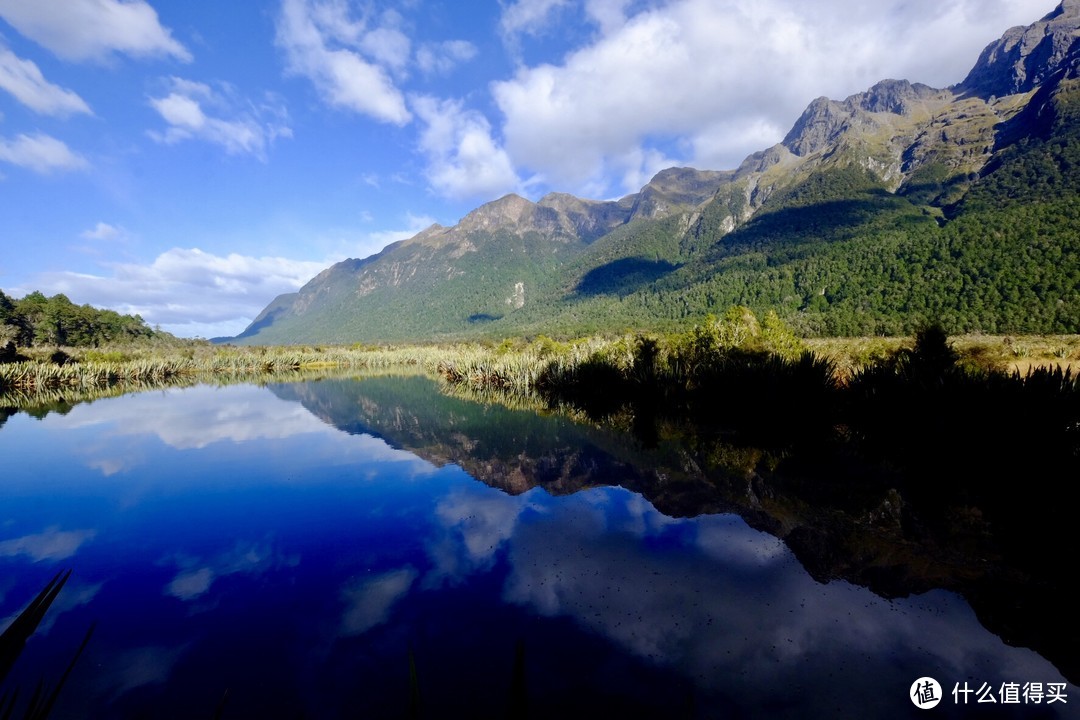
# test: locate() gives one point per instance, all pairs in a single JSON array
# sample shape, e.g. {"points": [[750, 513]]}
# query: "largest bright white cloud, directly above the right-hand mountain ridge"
{"points": [[706, 83]]}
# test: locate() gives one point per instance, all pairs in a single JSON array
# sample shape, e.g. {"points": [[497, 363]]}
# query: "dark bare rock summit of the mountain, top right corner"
{"points": [[1025, 58]]}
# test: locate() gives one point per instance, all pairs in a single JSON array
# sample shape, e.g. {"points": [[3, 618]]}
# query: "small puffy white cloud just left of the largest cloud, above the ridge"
{"points": [[464, 159]]}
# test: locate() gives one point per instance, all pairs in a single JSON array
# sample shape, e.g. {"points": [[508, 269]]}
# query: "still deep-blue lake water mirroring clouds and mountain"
{"points": [[372, 548]]}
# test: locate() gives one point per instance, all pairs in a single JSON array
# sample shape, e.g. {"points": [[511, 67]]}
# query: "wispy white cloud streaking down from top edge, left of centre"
{"points": [[325, 45]]}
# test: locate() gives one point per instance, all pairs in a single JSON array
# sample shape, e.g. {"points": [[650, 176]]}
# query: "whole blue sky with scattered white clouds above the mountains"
{"points": [[190, 161]]}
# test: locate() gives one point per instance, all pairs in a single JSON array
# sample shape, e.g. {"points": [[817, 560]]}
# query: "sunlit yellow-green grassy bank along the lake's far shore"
{"points": [[518, 366]]}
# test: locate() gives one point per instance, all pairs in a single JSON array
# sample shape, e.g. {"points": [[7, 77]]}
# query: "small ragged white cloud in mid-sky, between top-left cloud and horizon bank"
{"points": [[241, 128]]}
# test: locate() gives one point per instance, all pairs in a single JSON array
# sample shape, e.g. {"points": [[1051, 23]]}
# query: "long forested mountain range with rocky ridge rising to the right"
{"points": [[875, 214]]}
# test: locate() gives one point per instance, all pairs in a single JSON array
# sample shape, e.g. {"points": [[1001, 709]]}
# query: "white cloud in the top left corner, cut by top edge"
{"points": [[93, 30]]}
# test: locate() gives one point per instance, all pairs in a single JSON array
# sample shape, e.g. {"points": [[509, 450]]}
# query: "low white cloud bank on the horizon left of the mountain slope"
{"points": [[188, 291]]}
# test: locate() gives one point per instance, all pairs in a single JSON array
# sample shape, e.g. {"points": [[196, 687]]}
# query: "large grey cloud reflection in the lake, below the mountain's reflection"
{"points": [[710, 597]]}
